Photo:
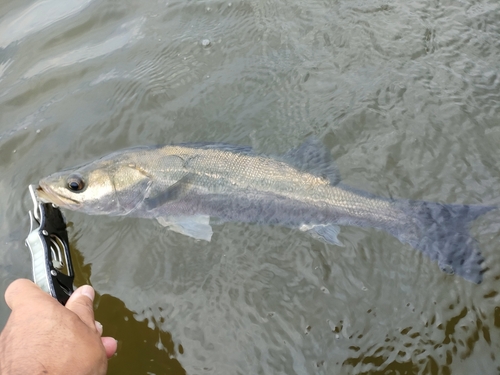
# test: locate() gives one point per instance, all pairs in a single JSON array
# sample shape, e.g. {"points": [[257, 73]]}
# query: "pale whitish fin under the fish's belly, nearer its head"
{"points": [[196, 226]]}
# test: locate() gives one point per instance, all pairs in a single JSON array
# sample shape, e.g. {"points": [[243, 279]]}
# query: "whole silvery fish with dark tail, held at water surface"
{"points": [[185, 186]]}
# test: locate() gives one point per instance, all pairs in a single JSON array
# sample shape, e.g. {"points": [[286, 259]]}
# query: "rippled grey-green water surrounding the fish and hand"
{"points": [[406, 96]]}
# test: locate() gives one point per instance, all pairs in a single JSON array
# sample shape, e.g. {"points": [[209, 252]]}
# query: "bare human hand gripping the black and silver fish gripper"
{"points": [[44, 337]]}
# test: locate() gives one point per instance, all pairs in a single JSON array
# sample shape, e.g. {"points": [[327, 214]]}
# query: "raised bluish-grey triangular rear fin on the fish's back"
{"points": [[313, 157]]}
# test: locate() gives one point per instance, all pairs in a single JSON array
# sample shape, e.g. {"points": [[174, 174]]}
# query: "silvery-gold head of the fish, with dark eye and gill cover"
{"points": [[102, 187]]}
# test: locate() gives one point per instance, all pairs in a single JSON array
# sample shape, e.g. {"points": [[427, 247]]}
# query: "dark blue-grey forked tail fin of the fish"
{"points": [[441, 231]]}
